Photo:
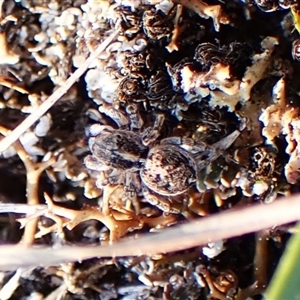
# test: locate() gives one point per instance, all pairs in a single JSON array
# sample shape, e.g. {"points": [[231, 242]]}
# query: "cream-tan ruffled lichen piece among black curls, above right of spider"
{"points": [[221, 86]]}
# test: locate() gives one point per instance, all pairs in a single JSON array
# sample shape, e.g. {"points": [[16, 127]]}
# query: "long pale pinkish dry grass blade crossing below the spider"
{"points": [[199, 232]]}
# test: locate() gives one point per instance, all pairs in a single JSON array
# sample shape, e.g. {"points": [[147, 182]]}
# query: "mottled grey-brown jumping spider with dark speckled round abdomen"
{"points": [[159, 170]]}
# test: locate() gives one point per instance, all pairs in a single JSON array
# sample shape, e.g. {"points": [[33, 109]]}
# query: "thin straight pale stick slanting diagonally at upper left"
{"points": [[46, 105]]}
